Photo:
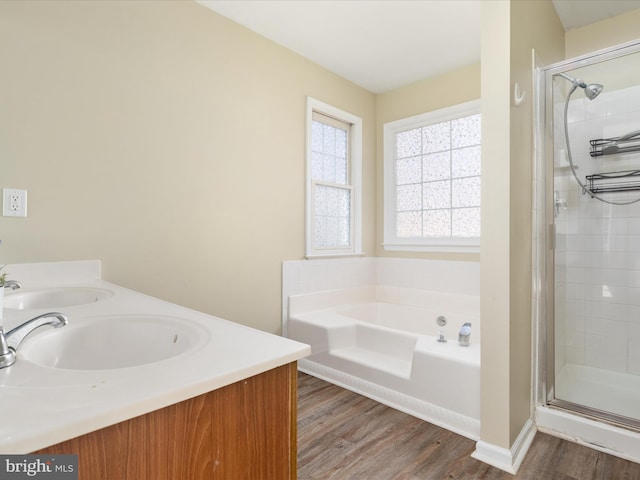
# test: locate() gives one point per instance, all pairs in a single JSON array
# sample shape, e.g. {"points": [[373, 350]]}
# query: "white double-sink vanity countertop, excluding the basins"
{"points": [[42, 406]]}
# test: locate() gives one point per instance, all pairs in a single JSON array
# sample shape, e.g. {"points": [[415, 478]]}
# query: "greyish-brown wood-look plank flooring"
{"points": [[345, 436]]}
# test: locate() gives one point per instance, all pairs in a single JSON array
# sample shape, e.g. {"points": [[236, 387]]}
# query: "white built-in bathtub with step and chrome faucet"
{"points": [[382, 342]]}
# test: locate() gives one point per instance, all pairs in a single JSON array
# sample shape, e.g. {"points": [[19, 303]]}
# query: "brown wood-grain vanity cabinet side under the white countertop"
{"points": [[245, 431]]}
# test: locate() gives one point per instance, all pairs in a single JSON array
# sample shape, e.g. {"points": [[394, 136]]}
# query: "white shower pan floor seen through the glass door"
{"points": [[599, 394]]}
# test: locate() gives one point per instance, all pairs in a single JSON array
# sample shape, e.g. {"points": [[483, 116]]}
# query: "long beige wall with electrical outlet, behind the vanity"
{"points": [[166, 141]]}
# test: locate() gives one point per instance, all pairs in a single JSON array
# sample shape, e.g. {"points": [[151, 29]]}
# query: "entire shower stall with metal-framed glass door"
{"points": [[587, 238]]}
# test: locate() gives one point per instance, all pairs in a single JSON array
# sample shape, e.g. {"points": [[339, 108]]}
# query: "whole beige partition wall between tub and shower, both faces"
{"points": [[509, 32]]}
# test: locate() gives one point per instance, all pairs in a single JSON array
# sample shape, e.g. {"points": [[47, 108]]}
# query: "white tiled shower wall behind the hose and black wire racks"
{"points": [[597, 253]]}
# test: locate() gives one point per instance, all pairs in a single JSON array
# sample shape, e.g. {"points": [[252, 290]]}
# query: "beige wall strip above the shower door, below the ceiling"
{"points": [[613, 31]]}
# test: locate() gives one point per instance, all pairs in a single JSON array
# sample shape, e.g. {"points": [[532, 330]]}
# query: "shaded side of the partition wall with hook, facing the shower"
{"points": [[534, 25]]}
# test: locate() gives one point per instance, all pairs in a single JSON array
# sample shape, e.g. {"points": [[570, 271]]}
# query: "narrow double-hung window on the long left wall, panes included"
{"points": [[334, 159]]}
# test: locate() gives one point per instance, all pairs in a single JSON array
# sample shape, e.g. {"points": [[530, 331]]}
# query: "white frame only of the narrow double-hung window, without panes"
{"points": [[354, 181]]}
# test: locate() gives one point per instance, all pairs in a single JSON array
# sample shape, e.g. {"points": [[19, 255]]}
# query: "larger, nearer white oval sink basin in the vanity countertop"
{"points": [[102, 343]]}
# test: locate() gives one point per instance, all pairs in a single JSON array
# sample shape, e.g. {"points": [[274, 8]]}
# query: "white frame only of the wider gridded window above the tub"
{"points": [[391, 241]]}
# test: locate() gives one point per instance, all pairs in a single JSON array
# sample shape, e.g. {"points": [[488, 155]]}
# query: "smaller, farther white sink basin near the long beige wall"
{"points": [[54, 297]]}
